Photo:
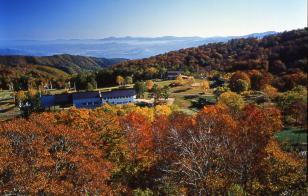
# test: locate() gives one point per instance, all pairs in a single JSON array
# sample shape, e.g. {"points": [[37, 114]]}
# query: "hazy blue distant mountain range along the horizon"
{"points": [[111, 47]]}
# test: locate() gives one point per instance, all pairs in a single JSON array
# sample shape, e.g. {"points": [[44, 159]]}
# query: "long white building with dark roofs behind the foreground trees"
{"points": [[90, 99]]}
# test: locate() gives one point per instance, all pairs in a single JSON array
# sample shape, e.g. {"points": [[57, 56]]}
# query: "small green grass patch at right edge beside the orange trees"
{"points": [[295, 135]]}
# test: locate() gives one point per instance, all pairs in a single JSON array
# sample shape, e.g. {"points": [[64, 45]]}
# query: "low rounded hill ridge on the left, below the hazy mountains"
{"points": [[56, 65]]}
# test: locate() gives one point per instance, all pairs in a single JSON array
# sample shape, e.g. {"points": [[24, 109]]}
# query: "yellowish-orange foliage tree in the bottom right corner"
{"points": [[282, 173]]}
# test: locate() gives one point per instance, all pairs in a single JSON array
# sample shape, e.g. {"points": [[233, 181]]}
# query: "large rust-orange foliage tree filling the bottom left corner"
{"points": [[39, 157]]}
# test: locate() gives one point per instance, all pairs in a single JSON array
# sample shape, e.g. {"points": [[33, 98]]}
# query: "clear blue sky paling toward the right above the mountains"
{"points": [[95, 19]]}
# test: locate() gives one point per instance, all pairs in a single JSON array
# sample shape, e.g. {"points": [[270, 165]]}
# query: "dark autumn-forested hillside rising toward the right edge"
{"points": [[278, 54]]}
